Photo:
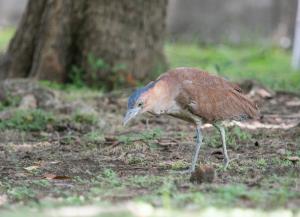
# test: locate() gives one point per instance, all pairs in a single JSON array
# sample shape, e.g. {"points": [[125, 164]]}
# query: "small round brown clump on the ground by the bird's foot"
{"points": [[203, 174]]}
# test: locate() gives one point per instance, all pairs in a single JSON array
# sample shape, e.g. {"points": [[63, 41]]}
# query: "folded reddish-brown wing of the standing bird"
{"points": [[211, 97]]}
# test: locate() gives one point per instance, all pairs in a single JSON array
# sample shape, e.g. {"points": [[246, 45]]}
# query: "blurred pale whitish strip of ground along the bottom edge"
{"points": [[142, 209]]}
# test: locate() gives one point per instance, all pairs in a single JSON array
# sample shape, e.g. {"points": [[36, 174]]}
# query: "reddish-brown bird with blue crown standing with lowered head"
{"points": [[195, 96]]}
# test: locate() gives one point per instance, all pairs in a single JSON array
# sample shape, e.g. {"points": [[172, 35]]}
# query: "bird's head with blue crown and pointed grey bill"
{"points": [[139, 102]]}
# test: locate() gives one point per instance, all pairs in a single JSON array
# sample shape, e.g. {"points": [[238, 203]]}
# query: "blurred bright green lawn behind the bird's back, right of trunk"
{"points": [[269, 65]]}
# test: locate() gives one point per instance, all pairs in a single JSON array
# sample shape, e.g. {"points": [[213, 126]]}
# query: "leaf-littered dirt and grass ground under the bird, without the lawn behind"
{"points": [[84, 155]]}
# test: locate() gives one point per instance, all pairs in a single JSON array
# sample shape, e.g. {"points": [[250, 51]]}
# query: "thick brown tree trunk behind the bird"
{"points": [[109, 41]]}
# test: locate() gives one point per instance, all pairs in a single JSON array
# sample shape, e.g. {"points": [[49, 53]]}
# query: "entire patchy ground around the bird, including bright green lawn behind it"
{"points": [[64, 151]]}
